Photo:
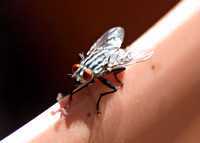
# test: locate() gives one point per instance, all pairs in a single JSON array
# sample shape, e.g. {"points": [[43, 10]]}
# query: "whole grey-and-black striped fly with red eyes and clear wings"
{"points": [[104, 57]]}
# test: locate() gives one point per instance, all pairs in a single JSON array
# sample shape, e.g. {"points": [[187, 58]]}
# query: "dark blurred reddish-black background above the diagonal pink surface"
{"points": [[40, 41]]}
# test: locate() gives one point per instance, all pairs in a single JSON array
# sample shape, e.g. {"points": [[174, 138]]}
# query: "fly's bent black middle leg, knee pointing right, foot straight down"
{"points": [[107, 83]]}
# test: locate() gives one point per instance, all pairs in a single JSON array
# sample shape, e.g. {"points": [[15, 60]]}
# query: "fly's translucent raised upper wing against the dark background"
{"points": [[111, 40]]}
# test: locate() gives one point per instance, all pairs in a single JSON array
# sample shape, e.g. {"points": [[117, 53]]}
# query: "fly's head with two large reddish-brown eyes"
{"points": [[81, 73]]}
